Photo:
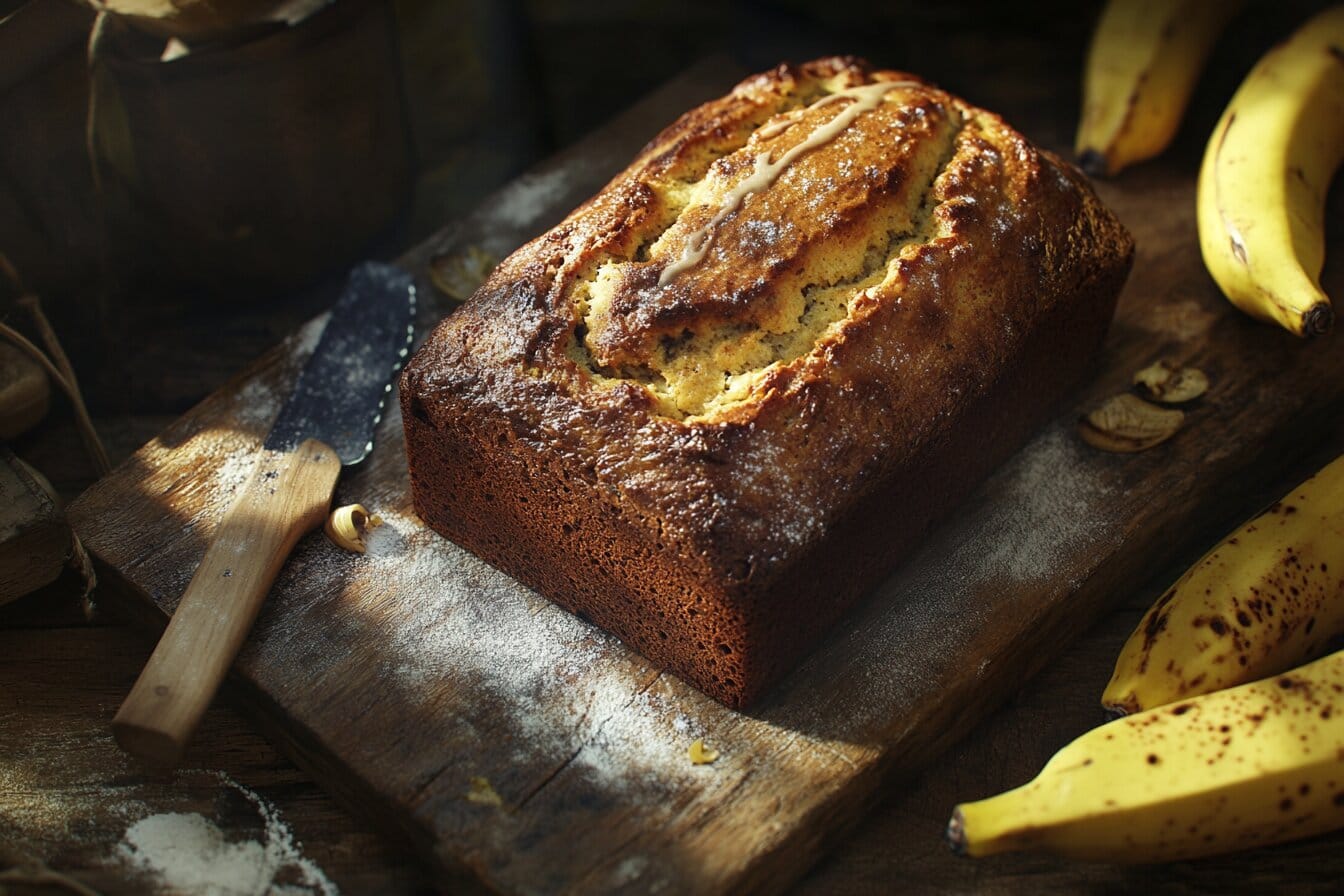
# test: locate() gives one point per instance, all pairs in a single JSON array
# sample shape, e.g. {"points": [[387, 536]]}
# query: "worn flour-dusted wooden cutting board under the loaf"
{"points": [[510, 741]]}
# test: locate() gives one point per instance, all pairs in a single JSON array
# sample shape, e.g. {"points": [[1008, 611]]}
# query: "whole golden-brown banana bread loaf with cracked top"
{"points": [[729, 393]]}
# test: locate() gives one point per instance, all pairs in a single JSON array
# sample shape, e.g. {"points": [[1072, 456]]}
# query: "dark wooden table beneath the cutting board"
{"points": [[68, 796]]}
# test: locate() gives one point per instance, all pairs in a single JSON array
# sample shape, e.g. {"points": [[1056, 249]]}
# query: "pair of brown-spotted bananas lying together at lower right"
{"points": [[1218, 754]]}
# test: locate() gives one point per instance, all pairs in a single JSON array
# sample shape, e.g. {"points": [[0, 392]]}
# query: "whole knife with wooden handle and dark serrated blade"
{"points": [[327, 422]]}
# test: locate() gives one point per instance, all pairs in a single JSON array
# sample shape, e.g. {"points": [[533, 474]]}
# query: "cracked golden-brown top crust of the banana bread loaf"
{"points": [[787, 295]]}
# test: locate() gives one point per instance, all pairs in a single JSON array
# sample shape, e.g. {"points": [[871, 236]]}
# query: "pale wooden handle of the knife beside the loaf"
{"points": [[288, 496]]}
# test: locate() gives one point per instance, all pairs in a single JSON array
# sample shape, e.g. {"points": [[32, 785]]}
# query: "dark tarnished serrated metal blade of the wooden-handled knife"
{"points": [[341, 393]]}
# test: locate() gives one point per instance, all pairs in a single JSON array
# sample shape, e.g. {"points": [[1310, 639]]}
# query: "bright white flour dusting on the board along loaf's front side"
{"points": [[536, 660]]}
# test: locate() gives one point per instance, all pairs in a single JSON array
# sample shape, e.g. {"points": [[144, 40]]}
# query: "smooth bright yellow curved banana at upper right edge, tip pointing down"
{"points": [[1263, 185]]}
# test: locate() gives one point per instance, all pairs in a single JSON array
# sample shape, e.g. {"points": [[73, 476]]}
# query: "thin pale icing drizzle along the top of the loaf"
{"points": [[765, 171]]}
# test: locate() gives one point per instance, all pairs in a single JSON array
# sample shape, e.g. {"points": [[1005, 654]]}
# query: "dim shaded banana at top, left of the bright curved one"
{"points": [[1142, 68]]}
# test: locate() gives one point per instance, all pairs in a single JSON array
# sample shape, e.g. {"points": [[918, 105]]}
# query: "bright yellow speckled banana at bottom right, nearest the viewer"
{"points": [[1256, 765]]}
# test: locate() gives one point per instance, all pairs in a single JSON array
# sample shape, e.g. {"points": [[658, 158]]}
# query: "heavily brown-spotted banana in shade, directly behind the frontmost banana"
{"points": [[1263, 601]]}
